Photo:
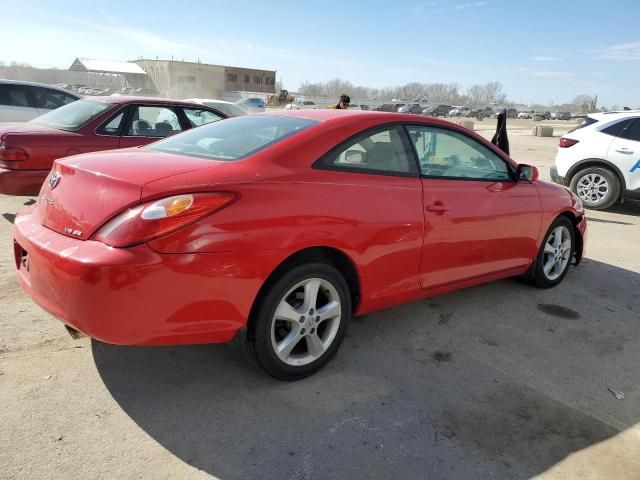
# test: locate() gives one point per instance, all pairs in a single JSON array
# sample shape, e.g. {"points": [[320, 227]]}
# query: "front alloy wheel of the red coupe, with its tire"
{"points": [[554, 257]]}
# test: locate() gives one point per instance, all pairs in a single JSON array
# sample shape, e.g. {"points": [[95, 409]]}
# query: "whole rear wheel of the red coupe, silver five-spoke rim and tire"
{"points": [[301, 321]]}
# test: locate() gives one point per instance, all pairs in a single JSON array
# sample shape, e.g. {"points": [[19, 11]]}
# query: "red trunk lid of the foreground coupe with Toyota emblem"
{"points": [[85, 191]]}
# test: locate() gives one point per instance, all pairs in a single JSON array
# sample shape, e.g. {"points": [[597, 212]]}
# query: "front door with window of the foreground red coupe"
{"points": [[478, 219]]}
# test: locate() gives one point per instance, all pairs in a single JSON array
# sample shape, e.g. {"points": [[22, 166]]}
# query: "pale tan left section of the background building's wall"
{"points": [[185, 79]]}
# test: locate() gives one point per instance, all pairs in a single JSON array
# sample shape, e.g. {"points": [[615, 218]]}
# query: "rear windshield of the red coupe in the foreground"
{"points": [[233, 139]]}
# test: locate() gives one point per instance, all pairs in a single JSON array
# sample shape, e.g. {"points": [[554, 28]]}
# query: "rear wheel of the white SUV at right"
{"points": [[597, 187]]}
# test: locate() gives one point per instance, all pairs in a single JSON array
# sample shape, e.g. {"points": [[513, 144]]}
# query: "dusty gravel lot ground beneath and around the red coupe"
{"points": [[497, 381]]}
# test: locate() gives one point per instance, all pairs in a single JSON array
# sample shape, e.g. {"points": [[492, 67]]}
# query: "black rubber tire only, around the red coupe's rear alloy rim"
{"points": [[259, 341]]}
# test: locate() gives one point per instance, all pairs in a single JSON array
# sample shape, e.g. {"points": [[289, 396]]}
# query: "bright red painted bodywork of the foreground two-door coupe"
{"points": [[198, 284]]}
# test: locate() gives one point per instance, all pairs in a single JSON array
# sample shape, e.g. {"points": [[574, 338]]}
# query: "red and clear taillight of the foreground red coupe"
{"points": [[160, 217]]}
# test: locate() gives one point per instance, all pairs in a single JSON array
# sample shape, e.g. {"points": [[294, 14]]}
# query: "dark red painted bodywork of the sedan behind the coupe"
{"points": [[44, 144]]}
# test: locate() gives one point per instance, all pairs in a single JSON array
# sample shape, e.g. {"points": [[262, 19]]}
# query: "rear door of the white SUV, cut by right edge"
{"points": [[624, 152]]}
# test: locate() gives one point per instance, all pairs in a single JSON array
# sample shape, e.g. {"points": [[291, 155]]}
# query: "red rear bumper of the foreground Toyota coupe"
{"points": [[135, 296]]}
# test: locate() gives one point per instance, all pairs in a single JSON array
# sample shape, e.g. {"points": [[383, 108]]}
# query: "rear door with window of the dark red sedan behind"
{"points": [[149, 123]]}
